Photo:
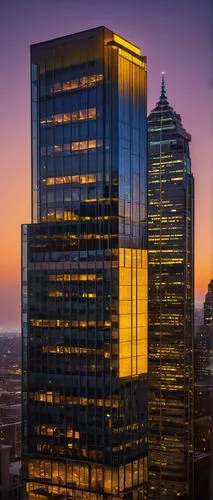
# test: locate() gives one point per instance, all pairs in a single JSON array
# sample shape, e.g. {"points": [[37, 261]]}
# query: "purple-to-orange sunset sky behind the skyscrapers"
{"points": [[176, 38]]}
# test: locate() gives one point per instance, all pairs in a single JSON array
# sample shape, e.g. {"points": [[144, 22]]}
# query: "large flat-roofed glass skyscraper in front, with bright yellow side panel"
{"points": [[85, 272]]}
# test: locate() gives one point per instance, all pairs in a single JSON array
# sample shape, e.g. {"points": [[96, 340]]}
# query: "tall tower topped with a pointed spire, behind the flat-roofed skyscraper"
{"points": [[170, 245]]}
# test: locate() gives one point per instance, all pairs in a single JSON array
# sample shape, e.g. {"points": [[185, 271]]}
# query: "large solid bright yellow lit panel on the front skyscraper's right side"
{"points": [[132, 312]]}
